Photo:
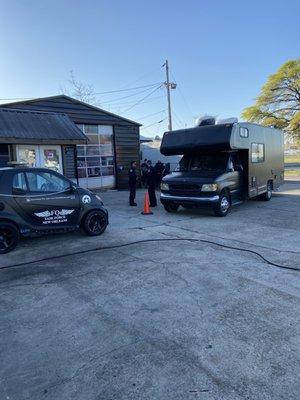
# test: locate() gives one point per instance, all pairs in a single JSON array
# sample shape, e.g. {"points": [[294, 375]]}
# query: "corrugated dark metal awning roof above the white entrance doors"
{"points": [[20, 126]]}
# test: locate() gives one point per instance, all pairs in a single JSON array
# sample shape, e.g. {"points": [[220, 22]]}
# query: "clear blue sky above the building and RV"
{"points": [[220, 53]]}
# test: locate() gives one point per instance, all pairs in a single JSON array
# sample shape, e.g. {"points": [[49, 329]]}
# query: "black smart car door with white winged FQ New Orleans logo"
{"points": [[49, 202]]}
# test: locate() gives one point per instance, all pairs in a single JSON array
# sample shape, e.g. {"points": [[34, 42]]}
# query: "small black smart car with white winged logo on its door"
{"points": [[36, 201]]}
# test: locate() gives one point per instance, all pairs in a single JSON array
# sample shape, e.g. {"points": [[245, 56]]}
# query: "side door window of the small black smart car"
{"points": [[46, 182]]}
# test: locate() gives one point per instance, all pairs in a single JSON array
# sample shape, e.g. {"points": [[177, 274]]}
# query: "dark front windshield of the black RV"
{"points": [[204, 162]]}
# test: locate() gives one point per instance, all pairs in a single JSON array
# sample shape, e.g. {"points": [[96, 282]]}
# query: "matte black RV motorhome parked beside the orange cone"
{"points": [[222, 165]]}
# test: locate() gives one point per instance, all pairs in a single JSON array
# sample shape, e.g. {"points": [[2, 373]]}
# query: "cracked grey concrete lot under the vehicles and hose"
{"points": [[159, 320]]}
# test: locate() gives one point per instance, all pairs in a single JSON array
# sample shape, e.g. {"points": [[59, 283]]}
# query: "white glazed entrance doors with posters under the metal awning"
{"points": [[46, 156]]}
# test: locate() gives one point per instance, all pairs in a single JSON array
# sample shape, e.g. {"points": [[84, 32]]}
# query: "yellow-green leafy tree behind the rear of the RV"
{"points": [[278, 103]]}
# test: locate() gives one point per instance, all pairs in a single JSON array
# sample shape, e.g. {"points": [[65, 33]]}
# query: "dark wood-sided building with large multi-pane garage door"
{"points": [[102, 161]]}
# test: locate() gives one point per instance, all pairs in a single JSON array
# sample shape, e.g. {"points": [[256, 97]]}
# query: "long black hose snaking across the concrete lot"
{"points": [[149, 241]]}
